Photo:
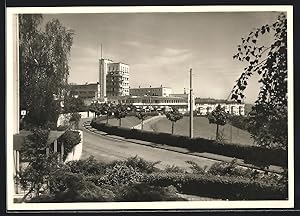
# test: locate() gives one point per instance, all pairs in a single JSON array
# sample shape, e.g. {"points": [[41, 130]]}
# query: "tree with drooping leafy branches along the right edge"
{"points": [[268, 118]]}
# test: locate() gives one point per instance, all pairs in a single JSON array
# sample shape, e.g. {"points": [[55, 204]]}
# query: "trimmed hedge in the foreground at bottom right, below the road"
{"points": [[223, 187]]}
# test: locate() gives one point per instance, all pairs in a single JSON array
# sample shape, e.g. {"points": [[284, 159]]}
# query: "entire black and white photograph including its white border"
{"points": [[184, 107]]}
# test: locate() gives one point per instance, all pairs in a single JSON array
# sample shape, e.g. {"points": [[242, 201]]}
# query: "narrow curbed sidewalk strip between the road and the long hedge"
{"points": [[221, 158]]}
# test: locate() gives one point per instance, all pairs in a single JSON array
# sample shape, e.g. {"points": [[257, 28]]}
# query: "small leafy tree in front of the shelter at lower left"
{"points": [[36, 174]]}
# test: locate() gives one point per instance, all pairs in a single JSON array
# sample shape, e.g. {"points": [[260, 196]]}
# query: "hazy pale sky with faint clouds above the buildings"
{"points": [[160, 48]]}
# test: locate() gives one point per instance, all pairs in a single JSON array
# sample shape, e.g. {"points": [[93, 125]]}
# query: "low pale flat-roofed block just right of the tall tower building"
{"points": [[157, 91]]}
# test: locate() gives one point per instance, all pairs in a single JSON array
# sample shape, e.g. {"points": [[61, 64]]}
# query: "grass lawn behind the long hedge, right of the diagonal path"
{"points": [[203, 129]]}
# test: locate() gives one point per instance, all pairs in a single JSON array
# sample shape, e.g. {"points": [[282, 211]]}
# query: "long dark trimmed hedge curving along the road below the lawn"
{"points": [[250, 154]]}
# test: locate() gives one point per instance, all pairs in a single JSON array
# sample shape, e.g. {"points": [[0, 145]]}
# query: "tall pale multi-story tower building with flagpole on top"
{"points": [[113, 78]]}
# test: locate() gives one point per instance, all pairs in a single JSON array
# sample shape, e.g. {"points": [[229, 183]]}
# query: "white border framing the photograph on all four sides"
{"points": [[146, 205]]}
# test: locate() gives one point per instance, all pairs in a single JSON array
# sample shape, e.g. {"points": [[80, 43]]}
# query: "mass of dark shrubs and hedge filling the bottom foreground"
{"points": [[138, 180]]}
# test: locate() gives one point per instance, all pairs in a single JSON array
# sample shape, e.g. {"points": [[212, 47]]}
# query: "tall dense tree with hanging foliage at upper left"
{"points": [[44, 56]]}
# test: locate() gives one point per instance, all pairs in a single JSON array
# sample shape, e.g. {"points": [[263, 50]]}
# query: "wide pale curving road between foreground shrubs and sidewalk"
{"points": [[106, 148]]}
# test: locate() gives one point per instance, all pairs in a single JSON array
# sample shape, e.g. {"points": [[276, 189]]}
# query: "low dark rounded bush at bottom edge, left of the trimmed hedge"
{"points": [[145, 193]]}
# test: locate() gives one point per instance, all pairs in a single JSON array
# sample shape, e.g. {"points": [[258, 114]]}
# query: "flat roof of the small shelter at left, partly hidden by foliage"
{"points": [[19, 139]]}
